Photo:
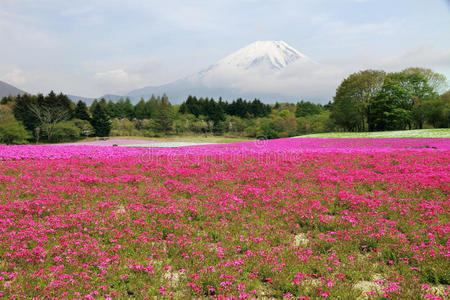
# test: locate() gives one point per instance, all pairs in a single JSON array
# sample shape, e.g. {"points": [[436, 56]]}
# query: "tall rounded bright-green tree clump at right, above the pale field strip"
{"points": [[375, 101]]}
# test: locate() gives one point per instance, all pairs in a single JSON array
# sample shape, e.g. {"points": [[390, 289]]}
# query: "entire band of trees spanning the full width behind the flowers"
{"points": [[369, 100]]}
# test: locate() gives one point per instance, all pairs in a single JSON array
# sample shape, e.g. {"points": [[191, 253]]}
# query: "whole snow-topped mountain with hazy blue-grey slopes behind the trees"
{"points": [[254, 71]]}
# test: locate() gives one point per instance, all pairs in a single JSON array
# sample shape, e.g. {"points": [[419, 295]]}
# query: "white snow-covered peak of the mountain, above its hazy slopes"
{"points": [[269, 54]]}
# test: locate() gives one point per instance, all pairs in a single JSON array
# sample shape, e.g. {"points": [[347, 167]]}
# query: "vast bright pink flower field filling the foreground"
{"points": [[287, 218]]}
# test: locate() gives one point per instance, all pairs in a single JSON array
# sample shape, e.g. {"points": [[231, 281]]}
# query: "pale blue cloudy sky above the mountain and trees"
{"points": [[89, 48]]}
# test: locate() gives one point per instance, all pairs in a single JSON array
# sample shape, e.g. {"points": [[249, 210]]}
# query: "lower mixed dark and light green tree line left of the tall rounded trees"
{"points": [[55, 118]]}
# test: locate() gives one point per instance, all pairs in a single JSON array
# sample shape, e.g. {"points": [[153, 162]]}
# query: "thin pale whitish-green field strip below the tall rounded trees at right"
{"points": [[419, 133]]}
